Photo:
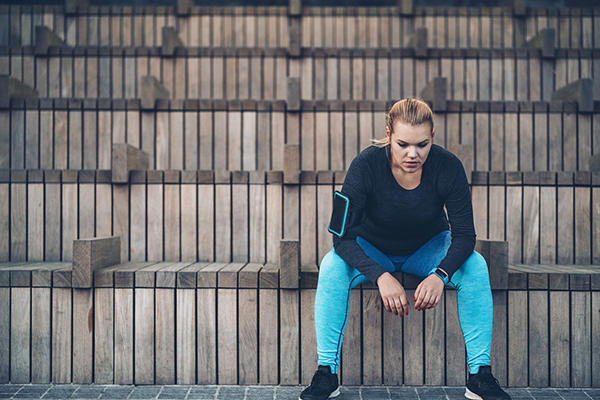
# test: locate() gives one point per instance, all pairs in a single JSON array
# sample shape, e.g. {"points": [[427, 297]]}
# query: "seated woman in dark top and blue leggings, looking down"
{"points": [[392, 219]]}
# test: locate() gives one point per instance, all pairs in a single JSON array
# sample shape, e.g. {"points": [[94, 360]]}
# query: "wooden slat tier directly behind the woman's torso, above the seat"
{"points": [[547, 217]]}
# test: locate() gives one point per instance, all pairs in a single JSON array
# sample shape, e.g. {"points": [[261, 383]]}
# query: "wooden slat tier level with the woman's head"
{"points": [[250, 135]]}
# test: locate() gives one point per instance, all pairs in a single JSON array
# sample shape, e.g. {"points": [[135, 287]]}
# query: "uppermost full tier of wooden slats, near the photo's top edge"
{"points": [[377, 27]]}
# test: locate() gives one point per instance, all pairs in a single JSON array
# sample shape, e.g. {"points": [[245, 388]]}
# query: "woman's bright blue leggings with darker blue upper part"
{"points": [[471, 281]]}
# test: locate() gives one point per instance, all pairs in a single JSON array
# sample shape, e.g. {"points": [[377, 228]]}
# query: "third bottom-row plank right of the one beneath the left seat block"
{"points": [[144, 338]]}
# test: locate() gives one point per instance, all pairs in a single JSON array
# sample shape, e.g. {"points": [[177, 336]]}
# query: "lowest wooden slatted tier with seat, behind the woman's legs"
{"points": [[221, 323]]}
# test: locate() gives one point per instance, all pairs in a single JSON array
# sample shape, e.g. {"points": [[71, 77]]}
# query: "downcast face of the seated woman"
{"points": [[410, 145]]}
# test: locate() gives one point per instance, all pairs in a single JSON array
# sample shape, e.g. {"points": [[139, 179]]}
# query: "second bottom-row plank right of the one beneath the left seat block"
{"points": [[123, 336]]}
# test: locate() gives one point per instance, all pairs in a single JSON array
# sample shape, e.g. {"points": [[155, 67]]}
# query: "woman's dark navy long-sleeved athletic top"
{"points": [[398, 221]]}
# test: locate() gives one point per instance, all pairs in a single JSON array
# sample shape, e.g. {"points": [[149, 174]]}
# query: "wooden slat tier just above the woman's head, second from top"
{"points": [[515, 75]]}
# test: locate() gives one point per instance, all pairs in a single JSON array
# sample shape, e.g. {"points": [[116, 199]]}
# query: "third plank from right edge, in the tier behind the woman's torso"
{"points": [[565, 226]]}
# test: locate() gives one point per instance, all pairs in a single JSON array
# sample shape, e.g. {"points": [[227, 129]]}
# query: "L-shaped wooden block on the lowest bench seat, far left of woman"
{"points": [[92, 254]]}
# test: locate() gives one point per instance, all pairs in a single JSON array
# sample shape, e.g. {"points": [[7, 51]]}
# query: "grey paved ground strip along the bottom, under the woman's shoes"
{"points": [[115, 392]]}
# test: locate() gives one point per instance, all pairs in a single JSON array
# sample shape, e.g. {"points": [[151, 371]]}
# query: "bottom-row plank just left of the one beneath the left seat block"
{"points": [[61, 335]]}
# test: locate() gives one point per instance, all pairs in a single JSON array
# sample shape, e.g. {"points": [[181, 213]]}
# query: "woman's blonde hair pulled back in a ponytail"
{"points": [[412, 110]]}
